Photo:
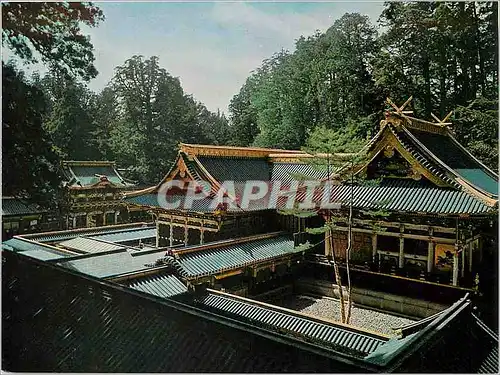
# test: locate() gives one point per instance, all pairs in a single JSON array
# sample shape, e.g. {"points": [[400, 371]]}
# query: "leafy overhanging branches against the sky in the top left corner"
{"points": [[52, 31]]}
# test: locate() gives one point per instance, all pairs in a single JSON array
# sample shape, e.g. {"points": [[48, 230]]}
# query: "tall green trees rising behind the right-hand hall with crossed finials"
{"points": [[445, 54]]}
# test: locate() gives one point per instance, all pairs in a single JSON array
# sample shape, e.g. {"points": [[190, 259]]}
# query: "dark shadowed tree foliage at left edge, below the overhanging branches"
{"points": [[29, 164]]}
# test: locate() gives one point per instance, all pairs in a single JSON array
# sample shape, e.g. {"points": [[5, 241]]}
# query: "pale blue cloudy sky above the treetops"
{"points": [[211, 46]]}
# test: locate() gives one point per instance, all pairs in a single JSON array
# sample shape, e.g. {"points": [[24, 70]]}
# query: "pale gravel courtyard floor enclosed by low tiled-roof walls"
{"points": [[330, 308]]}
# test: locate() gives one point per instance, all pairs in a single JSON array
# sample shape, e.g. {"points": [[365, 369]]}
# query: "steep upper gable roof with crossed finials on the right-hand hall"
{"points": [[435, 154]]}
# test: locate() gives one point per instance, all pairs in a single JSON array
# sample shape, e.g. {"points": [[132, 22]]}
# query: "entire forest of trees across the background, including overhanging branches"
{"points": [[444, 54]]}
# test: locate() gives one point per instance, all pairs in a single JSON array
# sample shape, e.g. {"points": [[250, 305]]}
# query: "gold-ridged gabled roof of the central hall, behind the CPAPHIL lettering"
{"points": [[217, 164]]}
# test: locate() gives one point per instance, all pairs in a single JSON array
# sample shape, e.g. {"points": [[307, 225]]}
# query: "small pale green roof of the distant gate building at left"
{"points": [[93, 174]]}
